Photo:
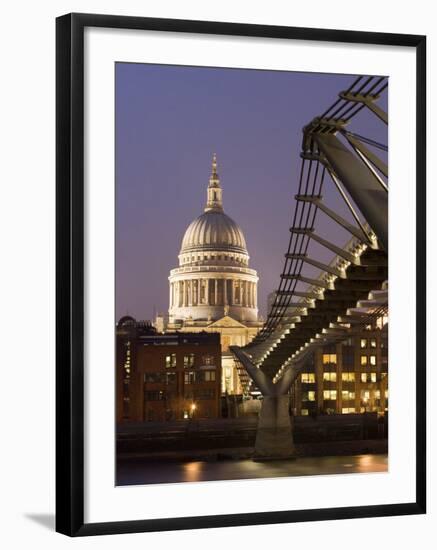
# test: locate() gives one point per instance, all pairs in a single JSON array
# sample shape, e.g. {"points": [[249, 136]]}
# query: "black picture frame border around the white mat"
{"points": [[70, 273]]}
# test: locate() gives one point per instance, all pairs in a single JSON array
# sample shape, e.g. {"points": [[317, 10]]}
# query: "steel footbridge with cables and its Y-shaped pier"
{"points": [[328, 289]]}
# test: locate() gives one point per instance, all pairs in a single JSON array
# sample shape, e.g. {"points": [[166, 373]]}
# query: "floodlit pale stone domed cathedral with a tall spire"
{"points": [[213, 289]]}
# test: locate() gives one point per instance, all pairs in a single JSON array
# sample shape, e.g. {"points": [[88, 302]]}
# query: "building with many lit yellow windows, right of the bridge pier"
{"points": [[344, 378]]}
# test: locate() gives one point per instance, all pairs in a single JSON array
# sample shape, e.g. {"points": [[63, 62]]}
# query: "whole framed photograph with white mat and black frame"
{"points": [[228, 243]]}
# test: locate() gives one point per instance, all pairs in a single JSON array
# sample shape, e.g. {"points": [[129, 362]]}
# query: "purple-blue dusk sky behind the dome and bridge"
{"points": [[169, 121]]}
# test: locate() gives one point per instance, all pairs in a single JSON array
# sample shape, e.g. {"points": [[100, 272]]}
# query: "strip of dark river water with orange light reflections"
{"points": [[138, 472]]}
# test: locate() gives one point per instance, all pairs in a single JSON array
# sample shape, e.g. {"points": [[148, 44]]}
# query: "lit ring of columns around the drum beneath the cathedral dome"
{"points": [[213, 292]]}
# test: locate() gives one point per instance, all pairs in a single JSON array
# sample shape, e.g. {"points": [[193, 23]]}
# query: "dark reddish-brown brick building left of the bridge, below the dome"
{"points": [[162, 377]]}
